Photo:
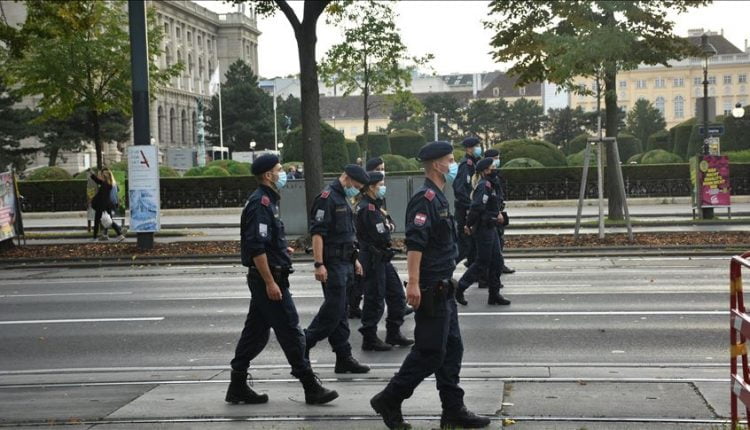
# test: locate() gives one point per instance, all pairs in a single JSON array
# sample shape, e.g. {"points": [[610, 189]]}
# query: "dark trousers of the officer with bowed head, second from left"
{"points": [[331, 321]]}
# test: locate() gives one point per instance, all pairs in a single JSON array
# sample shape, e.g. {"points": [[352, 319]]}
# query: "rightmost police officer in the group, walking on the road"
{"points": [[481, 222]]}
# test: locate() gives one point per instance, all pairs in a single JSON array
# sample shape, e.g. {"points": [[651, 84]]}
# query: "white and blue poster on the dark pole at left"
{"points": [[143, 188]]}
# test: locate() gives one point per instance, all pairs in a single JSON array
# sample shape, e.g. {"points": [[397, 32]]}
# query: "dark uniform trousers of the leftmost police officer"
{"points": [[266, 314]]}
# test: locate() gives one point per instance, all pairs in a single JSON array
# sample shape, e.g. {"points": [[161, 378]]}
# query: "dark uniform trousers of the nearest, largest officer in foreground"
{"points": [[438, 350]]}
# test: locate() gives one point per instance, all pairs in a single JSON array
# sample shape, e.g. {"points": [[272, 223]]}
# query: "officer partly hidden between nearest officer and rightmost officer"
{"points": [[462, 192]]}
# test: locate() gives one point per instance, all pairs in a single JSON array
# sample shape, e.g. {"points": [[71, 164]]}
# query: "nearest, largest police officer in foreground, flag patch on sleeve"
{"points": [[431, 260]]}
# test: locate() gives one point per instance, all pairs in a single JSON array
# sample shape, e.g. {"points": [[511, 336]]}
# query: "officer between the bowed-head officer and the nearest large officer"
{"points": [[380, 281]]}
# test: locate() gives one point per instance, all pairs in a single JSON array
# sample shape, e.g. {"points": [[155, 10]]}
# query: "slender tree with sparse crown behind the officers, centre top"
{"points": [[372, 58]]}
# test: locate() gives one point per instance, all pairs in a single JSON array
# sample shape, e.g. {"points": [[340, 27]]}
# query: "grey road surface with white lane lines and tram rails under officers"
{"points": [[620, 343]]}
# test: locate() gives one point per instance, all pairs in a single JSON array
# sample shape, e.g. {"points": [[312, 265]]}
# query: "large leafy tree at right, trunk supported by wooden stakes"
{"points": [[560, 41]]}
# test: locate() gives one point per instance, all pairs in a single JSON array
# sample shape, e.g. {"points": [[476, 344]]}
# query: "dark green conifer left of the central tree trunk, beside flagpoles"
{"points": [[247, 111]]}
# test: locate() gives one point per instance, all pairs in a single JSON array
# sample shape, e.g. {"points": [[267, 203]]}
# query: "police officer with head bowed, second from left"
{"points": [[333, 240]]}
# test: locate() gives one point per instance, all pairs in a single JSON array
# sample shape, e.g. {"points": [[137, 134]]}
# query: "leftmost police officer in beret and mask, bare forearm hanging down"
{"points": [[264, 250]]}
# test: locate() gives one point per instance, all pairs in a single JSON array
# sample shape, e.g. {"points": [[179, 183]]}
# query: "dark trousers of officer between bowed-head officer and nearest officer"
{"points": [[381, 284]]}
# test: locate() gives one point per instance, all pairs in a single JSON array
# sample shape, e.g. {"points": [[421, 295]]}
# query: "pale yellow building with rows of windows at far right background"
{"points": [[675, 90]]}
